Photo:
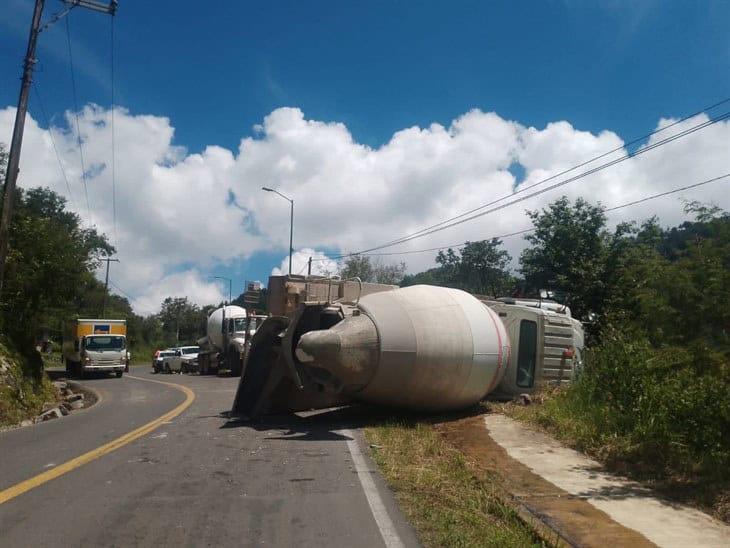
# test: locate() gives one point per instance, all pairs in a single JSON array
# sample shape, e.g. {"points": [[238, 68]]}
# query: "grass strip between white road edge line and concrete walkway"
{"points": [[446, 503]]}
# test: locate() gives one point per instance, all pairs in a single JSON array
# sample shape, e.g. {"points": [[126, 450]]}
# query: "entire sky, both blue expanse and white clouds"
{"points": [[377, 118]]}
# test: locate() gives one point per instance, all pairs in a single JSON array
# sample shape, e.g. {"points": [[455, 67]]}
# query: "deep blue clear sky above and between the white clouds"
{"points": [[216, 69]]}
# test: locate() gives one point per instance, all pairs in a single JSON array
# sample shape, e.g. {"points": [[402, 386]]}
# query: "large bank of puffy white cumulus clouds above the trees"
{"points": [[179, 214]]}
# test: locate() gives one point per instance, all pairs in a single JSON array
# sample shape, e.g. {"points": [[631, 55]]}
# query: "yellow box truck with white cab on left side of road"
{"points": [[95, 345]]}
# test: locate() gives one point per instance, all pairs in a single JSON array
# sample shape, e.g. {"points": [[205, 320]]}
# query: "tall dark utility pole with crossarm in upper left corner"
{"points": [[16, 143]]}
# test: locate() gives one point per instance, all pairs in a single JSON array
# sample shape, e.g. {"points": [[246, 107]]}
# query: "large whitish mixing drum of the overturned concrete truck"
{"points": [[420, 347]]}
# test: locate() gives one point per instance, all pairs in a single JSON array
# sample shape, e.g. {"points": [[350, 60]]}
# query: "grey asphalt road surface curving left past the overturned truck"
{"points": [[197, 479]]}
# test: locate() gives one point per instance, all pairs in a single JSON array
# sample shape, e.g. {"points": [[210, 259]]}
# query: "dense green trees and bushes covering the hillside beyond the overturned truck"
{"points": [[653, 400]]}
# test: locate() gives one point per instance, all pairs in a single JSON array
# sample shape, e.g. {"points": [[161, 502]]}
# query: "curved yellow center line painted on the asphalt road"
{"points": [[53, 473]]}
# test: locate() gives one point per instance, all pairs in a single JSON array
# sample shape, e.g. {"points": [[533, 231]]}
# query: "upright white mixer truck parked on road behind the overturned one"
{"points": [[228, 333]]}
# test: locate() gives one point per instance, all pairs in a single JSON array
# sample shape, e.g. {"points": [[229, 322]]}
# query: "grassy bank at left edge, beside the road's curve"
{"points": [[24, 387]]}
